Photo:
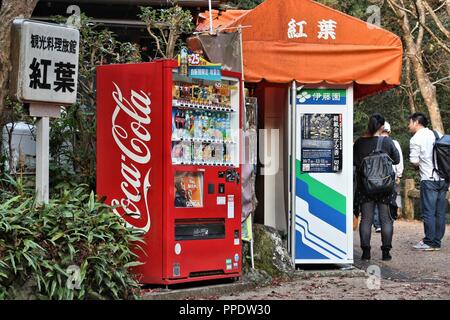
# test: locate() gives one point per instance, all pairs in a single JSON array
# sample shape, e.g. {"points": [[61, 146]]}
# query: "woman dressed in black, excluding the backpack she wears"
{"points": [[362, 147]]}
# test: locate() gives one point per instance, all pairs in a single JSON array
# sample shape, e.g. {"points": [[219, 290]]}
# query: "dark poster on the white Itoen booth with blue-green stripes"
{"points": [[321, 142]]}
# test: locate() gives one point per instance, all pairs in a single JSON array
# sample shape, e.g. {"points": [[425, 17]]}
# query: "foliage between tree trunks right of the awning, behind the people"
{"points": [[394, 104]]}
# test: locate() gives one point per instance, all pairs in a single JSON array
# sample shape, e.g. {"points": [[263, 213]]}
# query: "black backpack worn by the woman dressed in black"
{"points": [[378, 176]]}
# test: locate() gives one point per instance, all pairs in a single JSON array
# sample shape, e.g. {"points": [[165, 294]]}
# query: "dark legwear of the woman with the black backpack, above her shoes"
{"points": [[365, 227]]}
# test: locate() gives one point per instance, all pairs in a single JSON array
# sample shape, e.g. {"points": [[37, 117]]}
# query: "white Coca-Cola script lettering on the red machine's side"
{"points": [[132, 142]]}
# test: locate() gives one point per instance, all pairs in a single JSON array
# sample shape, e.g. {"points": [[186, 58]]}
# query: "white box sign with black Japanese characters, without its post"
{"points": [[45, 66]]}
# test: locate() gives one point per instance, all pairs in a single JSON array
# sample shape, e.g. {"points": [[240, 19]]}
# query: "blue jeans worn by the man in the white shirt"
{"points": [[433, 198]]}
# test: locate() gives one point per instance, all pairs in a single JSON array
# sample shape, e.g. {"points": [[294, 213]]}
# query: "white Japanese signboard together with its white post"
{"points": [[44, 75]]}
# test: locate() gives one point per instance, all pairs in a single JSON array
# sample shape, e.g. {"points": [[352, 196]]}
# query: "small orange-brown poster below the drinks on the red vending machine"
{"points": [[188, 189]]}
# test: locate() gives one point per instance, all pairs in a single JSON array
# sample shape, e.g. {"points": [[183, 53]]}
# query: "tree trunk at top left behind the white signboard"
{"points": [[9, 10]]}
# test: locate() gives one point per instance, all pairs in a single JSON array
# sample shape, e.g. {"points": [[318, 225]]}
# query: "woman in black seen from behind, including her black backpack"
{"points": [[373, 157]]}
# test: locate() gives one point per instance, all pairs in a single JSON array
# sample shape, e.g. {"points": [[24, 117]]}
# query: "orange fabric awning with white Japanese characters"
{"points": [[286, 40]]}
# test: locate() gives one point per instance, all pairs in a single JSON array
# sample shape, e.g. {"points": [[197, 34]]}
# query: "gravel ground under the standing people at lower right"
{"points": [[410, 275]]}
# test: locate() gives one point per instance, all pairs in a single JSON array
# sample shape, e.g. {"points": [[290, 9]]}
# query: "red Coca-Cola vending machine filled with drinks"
{"points": [[168, 157]]}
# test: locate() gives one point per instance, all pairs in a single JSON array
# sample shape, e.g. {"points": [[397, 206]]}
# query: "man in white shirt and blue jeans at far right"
{"points": [[433, 188]]}
